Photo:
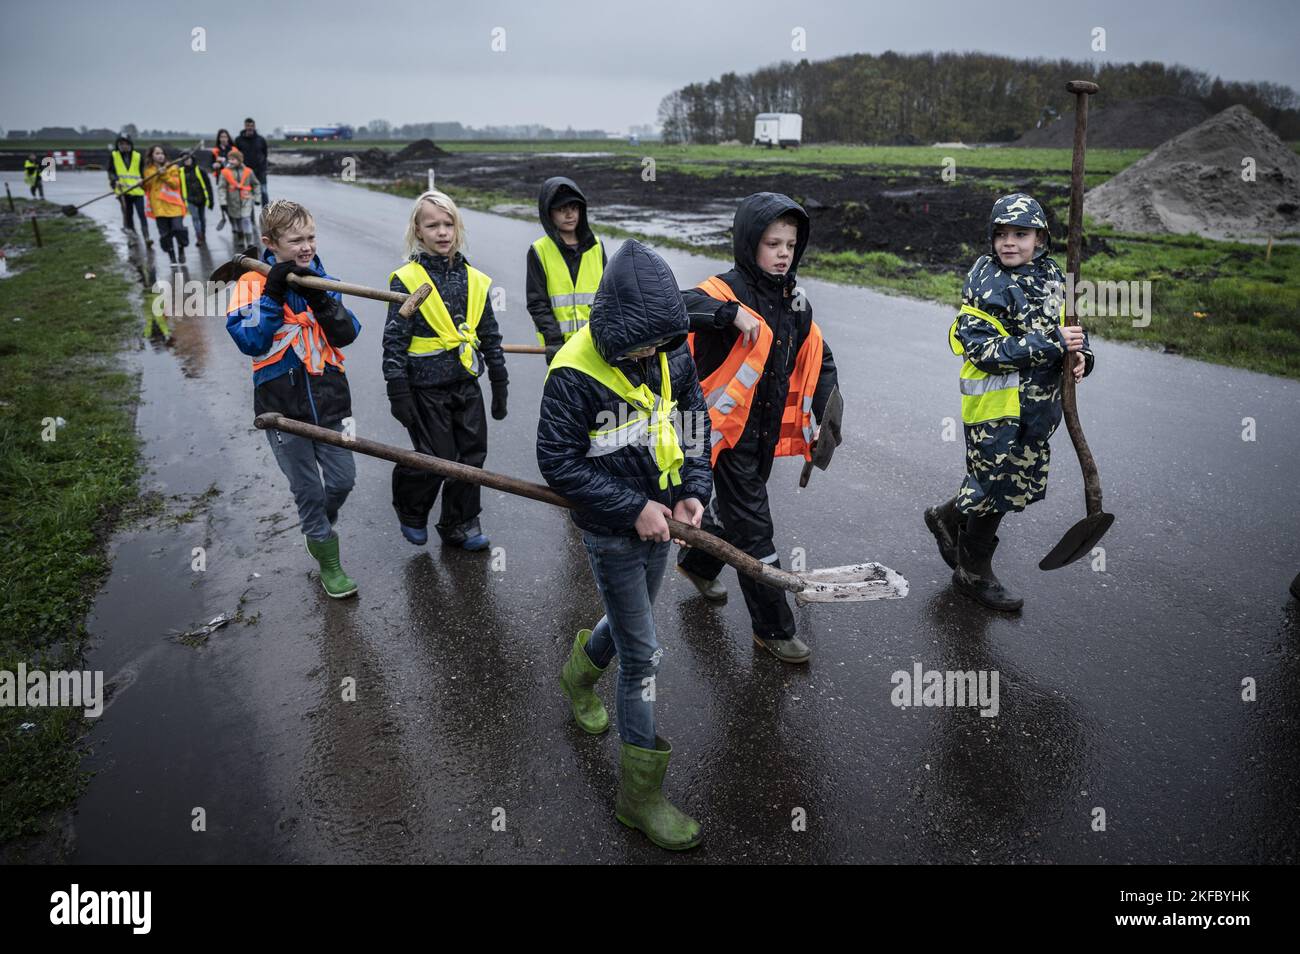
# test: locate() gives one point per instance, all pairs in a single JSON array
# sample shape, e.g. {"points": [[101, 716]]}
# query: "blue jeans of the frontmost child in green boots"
{"points": [[629, 573]]}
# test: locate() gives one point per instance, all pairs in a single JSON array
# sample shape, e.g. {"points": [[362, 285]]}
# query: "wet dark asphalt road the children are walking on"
{"points": [[1119, 690]]}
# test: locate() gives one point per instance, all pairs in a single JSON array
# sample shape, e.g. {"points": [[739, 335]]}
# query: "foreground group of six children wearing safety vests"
{"points": [[657, 404]]}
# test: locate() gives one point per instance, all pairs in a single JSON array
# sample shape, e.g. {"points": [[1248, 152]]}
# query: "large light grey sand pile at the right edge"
{"points": [[1194, 184]]}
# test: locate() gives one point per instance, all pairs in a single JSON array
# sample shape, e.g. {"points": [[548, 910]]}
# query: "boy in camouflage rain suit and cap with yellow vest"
{"points": [[1011, 335]]}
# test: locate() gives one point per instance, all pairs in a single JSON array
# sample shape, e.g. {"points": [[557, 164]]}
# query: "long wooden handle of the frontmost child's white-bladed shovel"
{"points": [[701, 540]]}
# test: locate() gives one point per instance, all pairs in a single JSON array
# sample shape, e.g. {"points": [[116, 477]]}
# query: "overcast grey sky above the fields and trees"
{"points": [[579, 63]]}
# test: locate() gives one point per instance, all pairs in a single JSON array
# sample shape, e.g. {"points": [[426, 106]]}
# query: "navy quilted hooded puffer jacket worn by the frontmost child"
{"points": [[638, 303]]}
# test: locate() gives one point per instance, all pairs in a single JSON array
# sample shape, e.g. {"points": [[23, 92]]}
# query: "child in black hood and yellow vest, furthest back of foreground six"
{"points": [[565, 266]]}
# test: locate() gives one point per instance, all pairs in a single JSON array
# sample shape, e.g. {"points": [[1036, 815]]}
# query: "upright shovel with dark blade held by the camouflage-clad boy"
{"points": [[1081, 539]]}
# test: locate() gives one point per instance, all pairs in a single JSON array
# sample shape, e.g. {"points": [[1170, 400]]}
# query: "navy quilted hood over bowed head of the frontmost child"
{"points": [[638, 305]]}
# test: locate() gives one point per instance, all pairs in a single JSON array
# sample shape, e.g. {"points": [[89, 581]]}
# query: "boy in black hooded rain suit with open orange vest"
{"points": [[768, 409]]}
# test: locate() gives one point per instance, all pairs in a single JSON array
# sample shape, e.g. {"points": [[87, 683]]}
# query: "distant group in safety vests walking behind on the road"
{"points": [[151, 187]]}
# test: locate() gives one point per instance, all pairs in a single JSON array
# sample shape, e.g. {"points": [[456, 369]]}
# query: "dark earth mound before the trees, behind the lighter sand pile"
{"points": [[1139, 124]]}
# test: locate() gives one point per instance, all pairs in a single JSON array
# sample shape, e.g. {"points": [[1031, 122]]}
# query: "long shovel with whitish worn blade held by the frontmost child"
{"points": [[853, 584]]}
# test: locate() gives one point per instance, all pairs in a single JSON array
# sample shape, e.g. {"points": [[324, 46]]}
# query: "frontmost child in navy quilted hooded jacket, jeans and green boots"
{"points": [[623, 433]]}
